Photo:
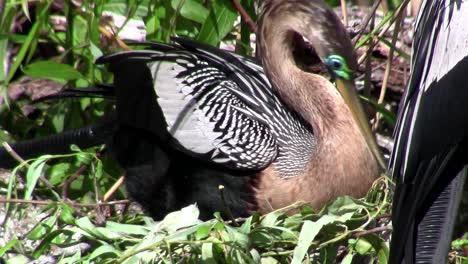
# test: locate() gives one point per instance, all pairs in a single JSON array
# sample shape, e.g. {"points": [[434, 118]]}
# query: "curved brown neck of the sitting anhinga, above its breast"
{"points": [[310, 95]]}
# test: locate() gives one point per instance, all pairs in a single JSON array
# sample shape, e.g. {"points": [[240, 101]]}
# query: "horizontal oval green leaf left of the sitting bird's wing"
{"points": [[52, 70]]}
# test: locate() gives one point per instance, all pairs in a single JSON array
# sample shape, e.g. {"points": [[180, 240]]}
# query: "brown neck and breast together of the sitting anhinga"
{"points": [[342, 163]]}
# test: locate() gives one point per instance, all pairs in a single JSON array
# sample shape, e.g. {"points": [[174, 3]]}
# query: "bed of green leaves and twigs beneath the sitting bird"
{"points": [[338, 232]]}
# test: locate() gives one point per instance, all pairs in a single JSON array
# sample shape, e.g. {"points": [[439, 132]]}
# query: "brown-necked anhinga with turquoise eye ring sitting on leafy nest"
{"points": [[190, 117]]}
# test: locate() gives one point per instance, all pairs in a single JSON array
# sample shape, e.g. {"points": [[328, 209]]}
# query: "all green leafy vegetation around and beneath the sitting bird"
{"points": [[46, 45]]}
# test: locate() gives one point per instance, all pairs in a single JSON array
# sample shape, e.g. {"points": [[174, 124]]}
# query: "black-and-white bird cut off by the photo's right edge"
{"points": [[431, 140]]}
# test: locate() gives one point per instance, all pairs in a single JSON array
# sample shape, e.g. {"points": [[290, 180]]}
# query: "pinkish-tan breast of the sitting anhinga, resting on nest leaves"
{"points": [[339, 166]]}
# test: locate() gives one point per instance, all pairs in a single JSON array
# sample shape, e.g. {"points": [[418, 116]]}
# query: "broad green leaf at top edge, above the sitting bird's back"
{"points": [[218, 23]]}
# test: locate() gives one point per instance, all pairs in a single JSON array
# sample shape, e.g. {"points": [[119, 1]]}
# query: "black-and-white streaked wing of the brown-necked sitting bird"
{"points": [[214, 104]]}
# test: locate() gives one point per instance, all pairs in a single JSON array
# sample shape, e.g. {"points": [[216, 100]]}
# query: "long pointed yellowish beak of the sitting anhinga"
{"points": [[348, 92]]}
